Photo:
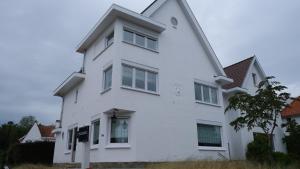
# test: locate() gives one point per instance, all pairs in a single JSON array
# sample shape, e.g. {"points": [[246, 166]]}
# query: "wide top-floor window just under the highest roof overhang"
{"points": [[140, 40]]}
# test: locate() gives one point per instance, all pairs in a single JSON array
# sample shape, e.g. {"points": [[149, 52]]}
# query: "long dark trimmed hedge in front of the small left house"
{"points": [[33, 153]]}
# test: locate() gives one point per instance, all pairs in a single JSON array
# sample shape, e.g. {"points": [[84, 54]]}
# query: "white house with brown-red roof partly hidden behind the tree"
{"points": [[247, 74]]}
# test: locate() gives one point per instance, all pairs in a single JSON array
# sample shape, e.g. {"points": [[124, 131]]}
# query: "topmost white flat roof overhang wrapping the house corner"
{"points": [[113, 13]]}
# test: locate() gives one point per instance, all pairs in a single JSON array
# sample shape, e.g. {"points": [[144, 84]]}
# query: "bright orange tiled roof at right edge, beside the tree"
{"points": [[292, 112]]}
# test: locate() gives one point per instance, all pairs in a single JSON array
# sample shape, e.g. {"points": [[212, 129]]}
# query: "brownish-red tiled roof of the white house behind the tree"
{"points": [[237, 72]]}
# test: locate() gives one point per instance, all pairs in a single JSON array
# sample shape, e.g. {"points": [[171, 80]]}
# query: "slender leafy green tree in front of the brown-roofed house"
{"points": [[260, 110]]}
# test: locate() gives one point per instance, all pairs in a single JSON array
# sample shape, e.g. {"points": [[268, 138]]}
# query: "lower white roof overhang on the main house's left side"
{"points": [[72, 81]]}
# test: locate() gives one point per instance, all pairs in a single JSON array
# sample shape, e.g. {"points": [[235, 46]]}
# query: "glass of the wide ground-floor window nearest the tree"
{"points": [[209, 135]]}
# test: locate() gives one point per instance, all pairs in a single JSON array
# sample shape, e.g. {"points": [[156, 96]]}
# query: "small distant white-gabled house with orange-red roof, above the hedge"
{"points": [[39, 132]]}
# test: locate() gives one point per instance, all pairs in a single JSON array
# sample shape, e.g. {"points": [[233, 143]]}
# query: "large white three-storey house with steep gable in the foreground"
{"points": [[150, 88]]}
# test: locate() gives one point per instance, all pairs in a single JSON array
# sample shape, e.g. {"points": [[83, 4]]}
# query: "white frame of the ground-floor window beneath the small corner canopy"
{"points": [[118, 145]]}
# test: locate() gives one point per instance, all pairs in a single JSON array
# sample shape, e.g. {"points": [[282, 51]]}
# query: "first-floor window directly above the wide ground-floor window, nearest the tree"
{"points": [[206, 94]]}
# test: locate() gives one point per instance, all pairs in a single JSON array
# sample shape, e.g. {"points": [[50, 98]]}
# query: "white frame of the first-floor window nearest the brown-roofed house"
{"points": [[210, 86]]}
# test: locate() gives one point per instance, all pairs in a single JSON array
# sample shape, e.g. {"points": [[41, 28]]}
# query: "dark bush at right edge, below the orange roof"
{"points": [[292, 140]]}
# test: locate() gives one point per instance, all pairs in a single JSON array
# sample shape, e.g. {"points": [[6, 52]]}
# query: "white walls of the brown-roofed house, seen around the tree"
{"points": [[238, 141]]}
